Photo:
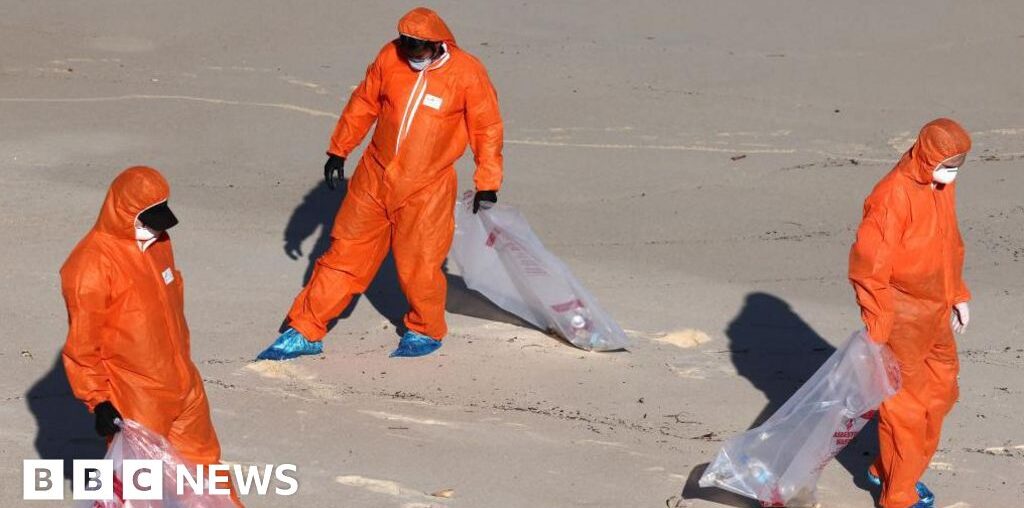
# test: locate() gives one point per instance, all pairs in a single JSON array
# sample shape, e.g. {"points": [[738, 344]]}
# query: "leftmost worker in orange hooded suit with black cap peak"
{"points": [[127, 353]]}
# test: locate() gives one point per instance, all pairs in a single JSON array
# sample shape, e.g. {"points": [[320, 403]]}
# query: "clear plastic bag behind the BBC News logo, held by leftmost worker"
{"points": [[137, 443]]}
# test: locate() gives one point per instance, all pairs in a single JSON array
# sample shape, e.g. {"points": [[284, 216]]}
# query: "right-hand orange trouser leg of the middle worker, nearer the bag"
{"points": [[424, 227]]}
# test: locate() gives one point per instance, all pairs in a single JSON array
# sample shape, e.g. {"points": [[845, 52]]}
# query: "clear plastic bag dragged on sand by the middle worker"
{"points": [[499, 256]]}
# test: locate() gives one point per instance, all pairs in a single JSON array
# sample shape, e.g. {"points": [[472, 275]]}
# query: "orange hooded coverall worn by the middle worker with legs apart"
{"points": [[403, 194]]}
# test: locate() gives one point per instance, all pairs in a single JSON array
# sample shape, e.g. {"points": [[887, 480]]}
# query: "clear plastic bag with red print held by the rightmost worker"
{"points": [[780, 462]]}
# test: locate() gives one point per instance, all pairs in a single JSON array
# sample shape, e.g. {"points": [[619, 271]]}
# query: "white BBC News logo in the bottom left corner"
{"points": [[144, 480]]}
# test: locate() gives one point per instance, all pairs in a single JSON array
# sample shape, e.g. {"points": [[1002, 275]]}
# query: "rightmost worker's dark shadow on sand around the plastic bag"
{"points": [[778, 352]]}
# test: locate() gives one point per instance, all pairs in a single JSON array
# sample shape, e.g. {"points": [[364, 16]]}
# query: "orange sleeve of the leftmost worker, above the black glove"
{"points": [[88, 295]]}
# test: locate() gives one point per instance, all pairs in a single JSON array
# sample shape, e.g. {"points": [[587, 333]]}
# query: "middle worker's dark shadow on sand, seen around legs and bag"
{"points": [[316, 216]]}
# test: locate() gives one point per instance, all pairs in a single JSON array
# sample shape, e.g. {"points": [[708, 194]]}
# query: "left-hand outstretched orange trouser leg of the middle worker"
{"points": [[359, 244]]}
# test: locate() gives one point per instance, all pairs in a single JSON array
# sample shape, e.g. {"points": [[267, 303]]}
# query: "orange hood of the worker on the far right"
{"points": [[938, 141]]}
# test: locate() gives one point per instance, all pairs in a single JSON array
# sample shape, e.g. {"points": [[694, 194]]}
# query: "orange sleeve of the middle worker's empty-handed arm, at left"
{"points": [[360, 114]]}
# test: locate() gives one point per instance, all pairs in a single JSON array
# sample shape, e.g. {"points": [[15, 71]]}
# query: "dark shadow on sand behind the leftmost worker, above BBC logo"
{"points": [[65, 429]]}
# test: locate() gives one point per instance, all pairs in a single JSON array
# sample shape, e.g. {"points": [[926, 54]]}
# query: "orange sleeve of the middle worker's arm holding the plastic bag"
{"points": [[484, 120]]}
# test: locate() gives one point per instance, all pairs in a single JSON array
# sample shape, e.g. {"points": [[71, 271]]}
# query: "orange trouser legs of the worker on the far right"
{"points": [[911, 422]]}
